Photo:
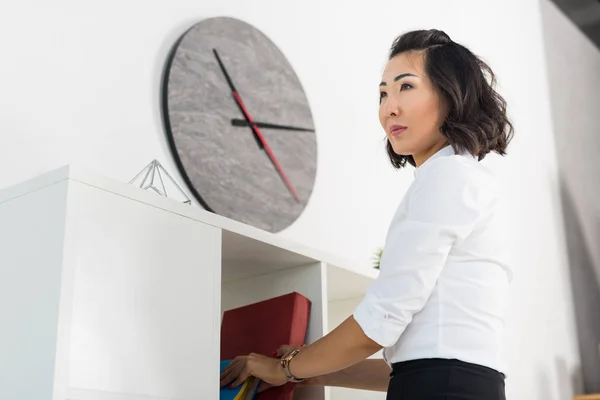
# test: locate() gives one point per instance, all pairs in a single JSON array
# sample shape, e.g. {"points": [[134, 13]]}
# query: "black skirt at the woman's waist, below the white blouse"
{"points": [[443, 379]]}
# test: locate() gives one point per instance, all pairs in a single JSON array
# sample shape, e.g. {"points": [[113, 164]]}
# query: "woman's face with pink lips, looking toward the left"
{"points": [[410, 110]]}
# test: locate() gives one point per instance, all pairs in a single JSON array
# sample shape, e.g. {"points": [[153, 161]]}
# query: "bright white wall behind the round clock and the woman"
{"points": [[79, 82]]}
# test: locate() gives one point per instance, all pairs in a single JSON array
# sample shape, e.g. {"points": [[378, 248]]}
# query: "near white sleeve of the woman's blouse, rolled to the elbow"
{"points": [[442, 207]]}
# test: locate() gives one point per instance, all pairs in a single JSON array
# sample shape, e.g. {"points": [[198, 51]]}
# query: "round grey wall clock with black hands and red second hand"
{"points": [[239, 124]]}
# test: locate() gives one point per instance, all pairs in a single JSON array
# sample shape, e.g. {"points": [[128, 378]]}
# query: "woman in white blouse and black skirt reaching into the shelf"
{"points": [[437, 306]]}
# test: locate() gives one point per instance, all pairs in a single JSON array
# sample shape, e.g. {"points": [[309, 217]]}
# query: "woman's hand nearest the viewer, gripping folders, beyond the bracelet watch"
{"points": [[264, 368]]}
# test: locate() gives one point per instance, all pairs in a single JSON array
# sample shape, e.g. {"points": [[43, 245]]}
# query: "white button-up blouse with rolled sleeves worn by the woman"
{"points": [[442, 286]]}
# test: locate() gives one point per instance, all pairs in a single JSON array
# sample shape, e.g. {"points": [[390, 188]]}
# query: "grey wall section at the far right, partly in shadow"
{"points": [[573, 64]]}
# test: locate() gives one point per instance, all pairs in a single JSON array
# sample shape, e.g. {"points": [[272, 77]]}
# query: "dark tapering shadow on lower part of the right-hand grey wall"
{"points": [[586, 295]]}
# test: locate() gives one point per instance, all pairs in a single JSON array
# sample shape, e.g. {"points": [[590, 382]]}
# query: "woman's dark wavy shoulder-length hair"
{"points": [[477, 121]]}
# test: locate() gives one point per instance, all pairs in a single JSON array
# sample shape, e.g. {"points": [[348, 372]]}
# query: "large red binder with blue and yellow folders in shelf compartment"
{"points": [[262, 328]]}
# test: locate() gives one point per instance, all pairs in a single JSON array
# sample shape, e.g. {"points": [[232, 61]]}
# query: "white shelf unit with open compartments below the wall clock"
{"points": [[111, 292]]}
